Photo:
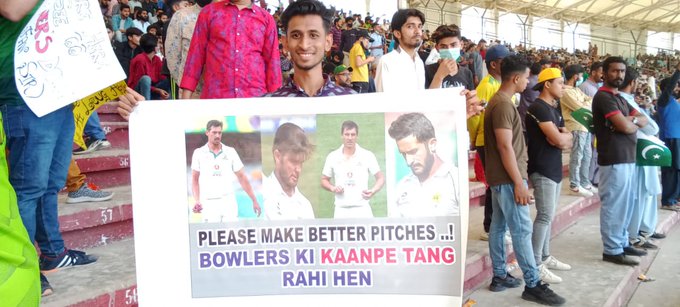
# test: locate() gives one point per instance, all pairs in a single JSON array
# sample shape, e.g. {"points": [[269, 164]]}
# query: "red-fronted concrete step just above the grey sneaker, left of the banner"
{"points": [[107, 167]]}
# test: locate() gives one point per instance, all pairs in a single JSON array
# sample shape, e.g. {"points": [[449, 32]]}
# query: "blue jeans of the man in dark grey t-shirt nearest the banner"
{"points": [[507, 213]]}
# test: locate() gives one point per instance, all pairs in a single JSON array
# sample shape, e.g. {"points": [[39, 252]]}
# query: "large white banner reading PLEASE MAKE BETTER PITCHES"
{"points": [[301, 201]]}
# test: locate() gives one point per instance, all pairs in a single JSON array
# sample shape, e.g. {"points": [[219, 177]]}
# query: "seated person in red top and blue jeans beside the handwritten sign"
{"points": [[145, 71]]}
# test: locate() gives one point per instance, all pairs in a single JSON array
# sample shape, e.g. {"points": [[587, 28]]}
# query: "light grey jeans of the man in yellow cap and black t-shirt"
{"points": [[546, 192]]}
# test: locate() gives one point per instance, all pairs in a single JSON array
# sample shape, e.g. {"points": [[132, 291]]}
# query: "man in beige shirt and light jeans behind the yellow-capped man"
{"points": [[581, 151]]}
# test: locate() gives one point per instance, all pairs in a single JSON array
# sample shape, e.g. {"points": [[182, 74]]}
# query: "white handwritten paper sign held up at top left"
{"points": [[64, 54]]}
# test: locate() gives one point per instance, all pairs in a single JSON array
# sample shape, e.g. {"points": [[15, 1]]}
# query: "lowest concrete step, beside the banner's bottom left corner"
{"points": [[111, 281]]}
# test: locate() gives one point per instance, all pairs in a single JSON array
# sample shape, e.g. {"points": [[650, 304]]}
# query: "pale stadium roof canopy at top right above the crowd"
{"points": [[654, 15]]}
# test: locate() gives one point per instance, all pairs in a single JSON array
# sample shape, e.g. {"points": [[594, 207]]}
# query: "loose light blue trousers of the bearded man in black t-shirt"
{"points": [[617, 196]]}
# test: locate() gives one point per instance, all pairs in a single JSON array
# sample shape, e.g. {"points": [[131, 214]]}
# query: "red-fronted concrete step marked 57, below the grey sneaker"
{"points": [[96, 223]]}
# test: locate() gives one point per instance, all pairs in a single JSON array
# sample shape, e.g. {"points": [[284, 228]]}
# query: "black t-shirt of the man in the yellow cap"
{"points": [[544, 158]]}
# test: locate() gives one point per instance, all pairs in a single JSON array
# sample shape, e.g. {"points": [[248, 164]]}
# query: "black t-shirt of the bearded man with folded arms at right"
{"points": [[612, 147]]}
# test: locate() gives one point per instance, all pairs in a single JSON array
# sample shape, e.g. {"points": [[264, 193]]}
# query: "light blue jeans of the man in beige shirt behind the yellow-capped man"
{"points": [[579, 160]]}
